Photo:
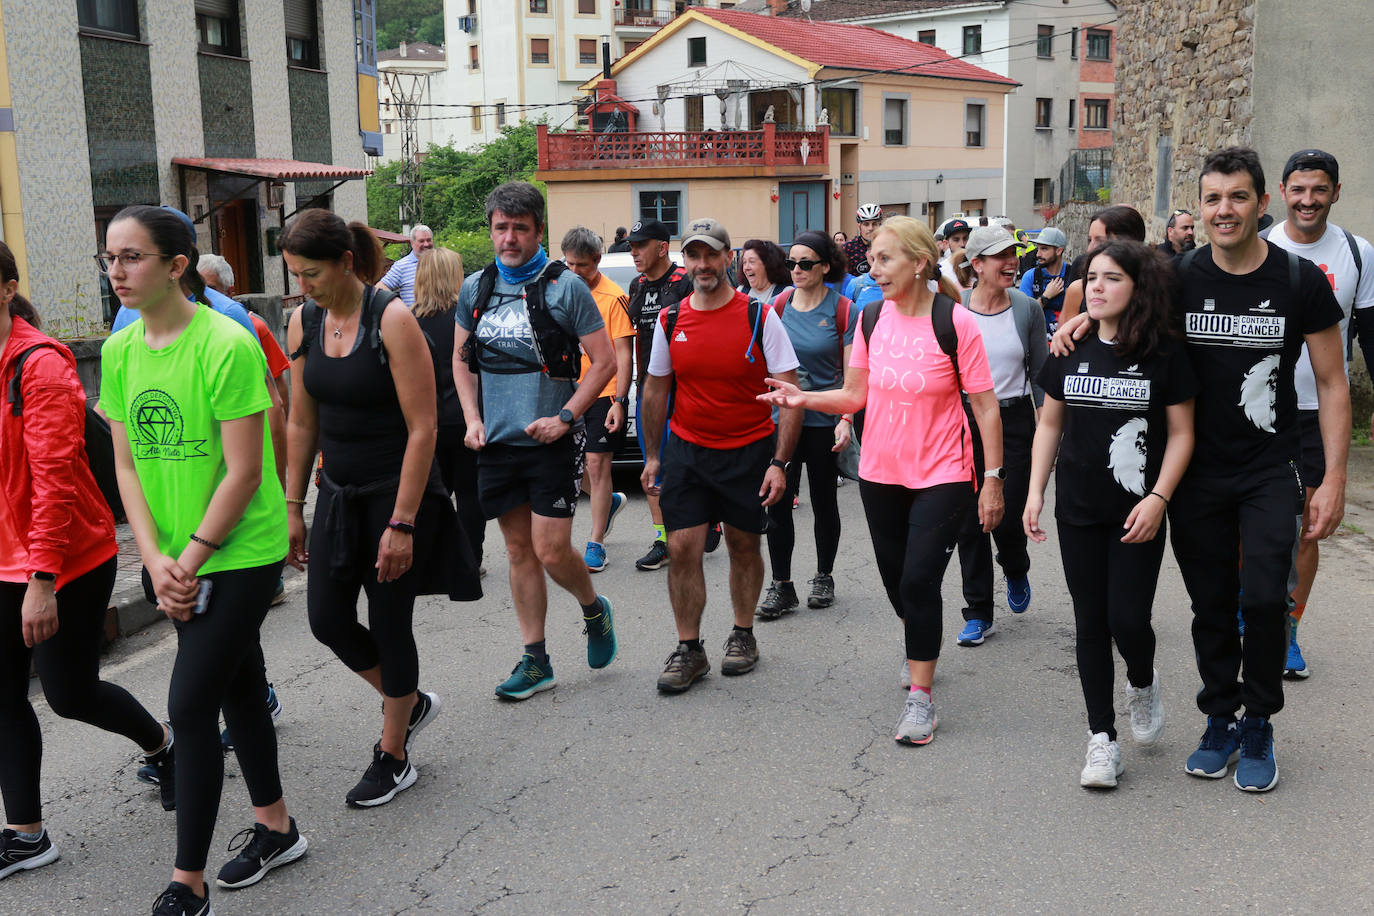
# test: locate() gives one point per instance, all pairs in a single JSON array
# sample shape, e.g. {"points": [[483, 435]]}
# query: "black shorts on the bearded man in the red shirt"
{"points": [[706, 485]]}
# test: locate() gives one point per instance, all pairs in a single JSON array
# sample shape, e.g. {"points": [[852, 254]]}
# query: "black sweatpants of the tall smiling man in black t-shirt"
{"points": [[1217, 521]]}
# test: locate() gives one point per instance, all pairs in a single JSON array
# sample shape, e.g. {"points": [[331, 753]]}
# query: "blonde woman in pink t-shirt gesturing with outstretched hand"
{"points": [[917, 465]]}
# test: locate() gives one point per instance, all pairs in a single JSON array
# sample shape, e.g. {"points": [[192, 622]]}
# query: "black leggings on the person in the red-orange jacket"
{"points": [[69, 667]]}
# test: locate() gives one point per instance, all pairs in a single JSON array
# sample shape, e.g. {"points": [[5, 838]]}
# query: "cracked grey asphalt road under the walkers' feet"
{"points": [[781, 792]]}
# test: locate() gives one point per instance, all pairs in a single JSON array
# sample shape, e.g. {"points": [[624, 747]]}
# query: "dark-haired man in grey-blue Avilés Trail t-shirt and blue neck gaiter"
{"points": [[528, 429]]}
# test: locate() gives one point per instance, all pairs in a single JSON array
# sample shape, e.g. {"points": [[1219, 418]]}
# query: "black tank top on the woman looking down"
{"points": [[362, 428]]}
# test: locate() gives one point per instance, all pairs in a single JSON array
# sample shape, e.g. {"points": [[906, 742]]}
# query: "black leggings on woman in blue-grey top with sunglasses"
{"points": [[814, 453]]}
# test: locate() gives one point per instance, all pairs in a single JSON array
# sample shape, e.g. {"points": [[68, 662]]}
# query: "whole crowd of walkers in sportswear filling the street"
{"points": [[1192, 391]]}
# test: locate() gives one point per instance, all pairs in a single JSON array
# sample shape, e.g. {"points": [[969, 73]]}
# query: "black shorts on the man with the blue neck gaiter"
{"points": [[546, 477]]}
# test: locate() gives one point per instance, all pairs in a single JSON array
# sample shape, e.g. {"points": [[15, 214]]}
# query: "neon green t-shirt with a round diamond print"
{"points": [[172, 403]]}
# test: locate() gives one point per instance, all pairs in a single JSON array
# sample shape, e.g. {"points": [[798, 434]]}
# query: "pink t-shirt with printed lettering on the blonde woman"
{"points": [[916, 433]]}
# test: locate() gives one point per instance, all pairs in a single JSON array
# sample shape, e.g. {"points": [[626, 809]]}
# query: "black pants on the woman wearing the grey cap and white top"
{"points": [[1011, 538]]}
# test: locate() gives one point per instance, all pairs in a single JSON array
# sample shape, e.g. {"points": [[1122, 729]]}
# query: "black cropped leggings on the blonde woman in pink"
{"points": [[914, 534]]}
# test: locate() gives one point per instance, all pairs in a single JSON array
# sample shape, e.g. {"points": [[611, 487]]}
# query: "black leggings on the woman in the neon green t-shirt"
{"points": [[219, 665]]}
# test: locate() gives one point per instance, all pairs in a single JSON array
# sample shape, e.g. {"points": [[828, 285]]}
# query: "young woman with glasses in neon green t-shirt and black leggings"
{"points": [[183, 391]]}
